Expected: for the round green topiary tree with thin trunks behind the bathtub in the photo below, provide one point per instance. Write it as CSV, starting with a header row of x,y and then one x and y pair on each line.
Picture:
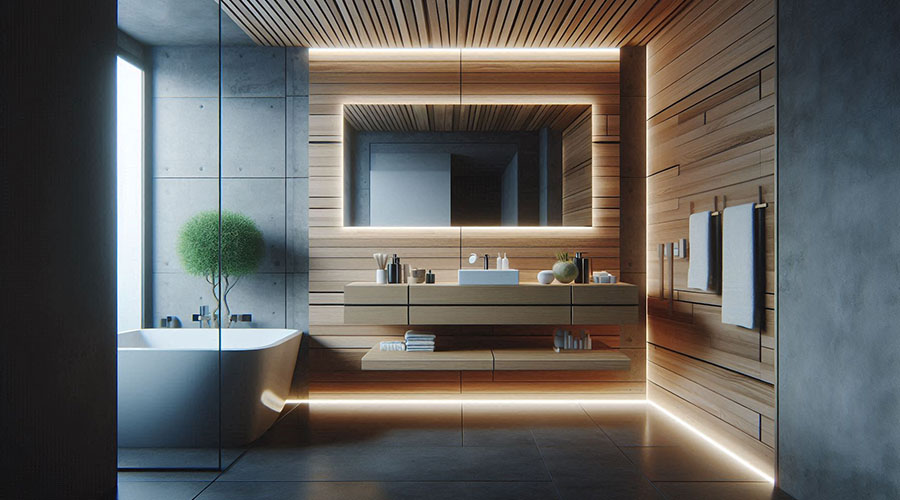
x,y
242,250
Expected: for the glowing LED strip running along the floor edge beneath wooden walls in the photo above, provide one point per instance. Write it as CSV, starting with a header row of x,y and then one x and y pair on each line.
x,y
547,402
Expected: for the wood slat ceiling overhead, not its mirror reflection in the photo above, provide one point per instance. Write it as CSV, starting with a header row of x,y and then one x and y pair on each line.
x,y
452,23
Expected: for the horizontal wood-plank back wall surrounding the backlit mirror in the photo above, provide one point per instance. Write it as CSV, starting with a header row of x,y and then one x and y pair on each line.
x,y
339,255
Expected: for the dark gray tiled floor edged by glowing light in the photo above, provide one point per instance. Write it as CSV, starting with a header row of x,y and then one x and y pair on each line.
x,y
466,450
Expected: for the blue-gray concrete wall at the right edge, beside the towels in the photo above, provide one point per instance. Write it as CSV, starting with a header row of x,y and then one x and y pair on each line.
x,y
839,249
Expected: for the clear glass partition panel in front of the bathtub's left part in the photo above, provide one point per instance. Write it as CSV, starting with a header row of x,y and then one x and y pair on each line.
x,y
169,235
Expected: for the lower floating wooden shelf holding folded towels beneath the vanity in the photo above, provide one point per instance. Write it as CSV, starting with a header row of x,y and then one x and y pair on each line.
x,y
495,359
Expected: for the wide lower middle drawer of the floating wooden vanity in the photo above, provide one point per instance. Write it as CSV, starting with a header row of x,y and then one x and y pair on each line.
x,y
489,315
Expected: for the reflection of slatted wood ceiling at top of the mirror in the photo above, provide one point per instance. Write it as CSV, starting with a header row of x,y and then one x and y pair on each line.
x,y
460,118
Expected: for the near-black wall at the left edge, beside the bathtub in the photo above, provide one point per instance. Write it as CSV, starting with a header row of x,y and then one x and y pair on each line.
x,y
57,257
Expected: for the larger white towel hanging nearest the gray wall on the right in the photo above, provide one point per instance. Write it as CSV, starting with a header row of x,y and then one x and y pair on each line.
x,y
739,265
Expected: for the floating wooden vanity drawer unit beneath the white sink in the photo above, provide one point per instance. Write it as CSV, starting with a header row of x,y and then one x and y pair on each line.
x,y
523,304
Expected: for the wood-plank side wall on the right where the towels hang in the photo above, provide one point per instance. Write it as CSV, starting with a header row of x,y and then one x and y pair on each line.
x,y
711,133
